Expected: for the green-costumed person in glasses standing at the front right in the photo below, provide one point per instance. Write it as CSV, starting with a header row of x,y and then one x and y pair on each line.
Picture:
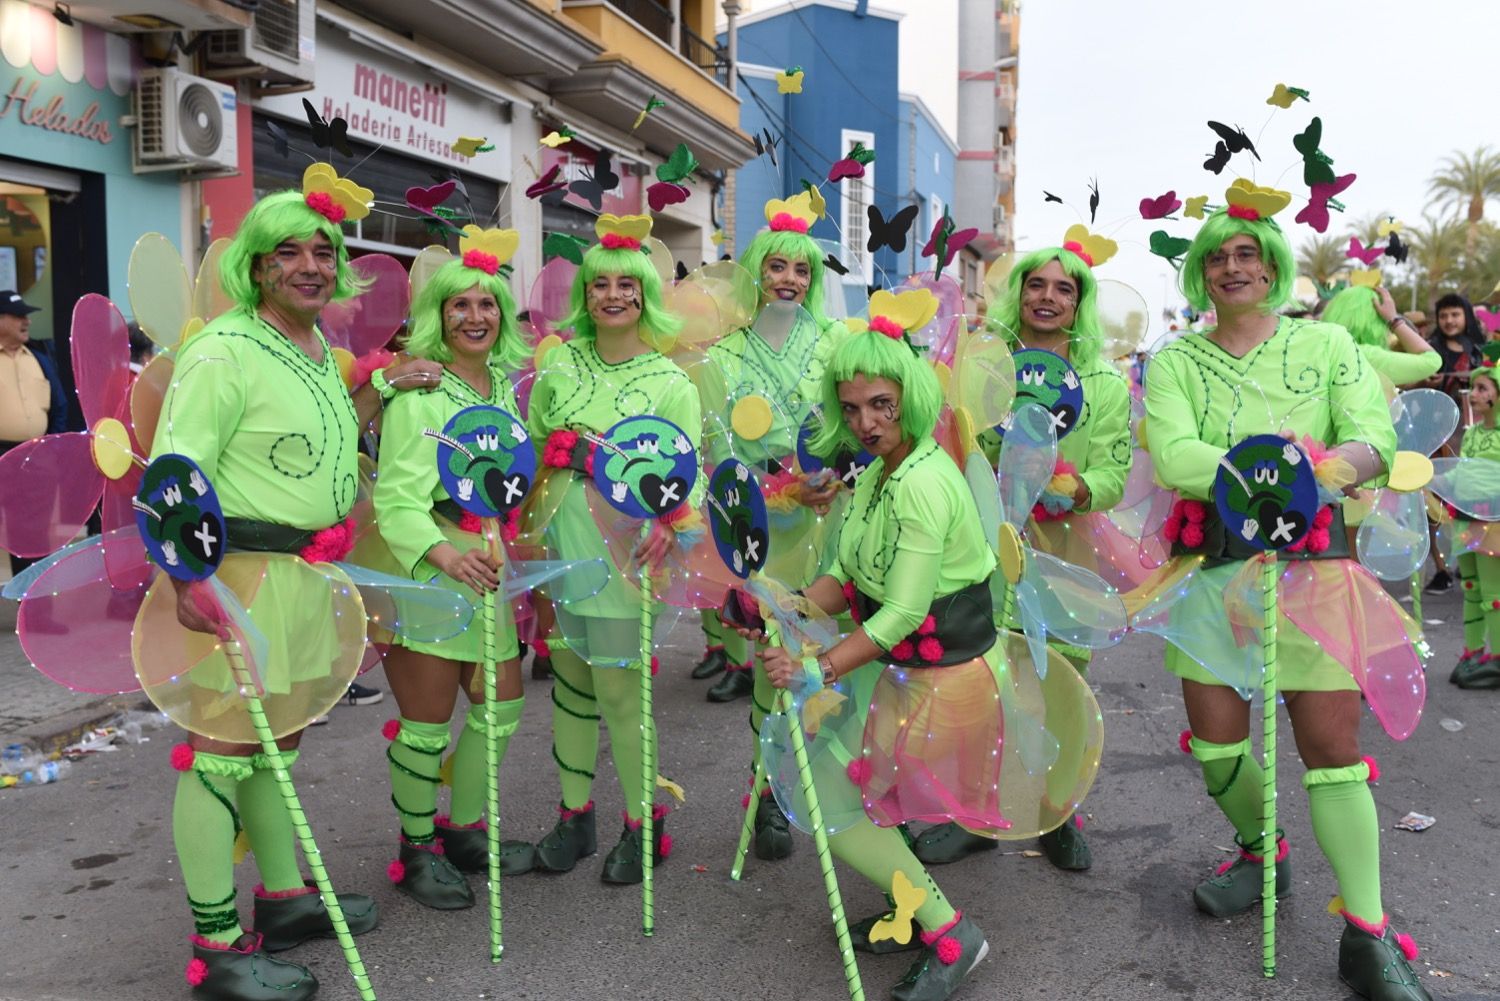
x,y
1265,374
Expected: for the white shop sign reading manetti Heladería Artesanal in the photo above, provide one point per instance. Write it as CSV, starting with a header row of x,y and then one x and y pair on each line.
x,y
400,106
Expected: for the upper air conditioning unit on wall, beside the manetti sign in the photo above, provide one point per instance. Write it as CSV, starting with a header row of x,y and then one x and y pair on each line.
x,y
278,49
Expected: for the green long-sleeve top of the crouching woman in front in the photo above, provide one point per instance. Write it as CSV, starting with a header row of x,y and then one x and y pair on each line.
x,y
911,540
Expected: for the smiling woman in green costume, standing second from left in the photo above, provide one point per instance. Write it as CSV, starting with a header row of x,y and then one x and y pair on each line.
x,y
466,320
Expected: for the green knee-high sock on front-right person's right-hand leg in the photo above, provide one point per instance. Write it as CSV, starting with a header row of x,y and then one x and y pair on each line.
x,y
1349,834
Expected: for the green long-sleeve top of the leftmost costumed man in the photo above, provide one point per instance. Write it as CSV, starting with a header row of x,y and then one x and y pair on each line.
x,y
275,431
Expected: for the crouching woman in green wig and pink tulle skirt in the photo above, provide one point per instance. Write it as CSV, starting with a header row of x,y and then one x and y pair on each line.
x,y
914,568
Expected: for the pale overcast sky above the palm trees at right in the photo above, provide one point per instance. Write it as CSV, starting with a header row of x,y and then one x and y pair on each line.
x,y
1123,92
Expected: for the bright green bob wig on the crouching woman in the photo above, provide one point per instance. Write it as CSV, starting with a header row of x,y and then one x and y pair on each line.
x,y
875,355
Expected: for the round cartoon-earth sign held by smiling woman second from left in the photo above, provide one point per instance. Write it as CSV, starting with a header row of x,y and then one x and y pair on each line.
x,y
485,461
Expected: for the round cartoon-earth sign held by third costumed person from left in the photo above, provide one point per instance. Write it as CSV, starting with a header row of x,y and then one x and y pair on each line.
x,y
646,467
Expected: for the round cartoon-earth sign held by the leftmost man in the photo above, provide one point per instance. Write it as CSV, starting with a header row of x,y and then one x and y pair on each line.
x,y
181,520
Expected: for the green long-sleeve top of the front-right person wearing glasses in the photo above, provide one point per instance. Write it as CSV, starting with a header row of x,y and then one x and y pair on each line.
x,y
1307,377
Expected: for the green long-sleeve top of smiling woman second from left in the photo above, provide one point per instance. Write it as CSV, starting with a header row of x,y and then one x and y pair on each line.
x,y
409,482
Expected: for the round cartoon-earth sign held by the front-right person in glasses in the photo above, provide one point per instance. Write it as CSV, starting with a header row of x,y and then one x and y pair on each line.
x,y
1265,491
